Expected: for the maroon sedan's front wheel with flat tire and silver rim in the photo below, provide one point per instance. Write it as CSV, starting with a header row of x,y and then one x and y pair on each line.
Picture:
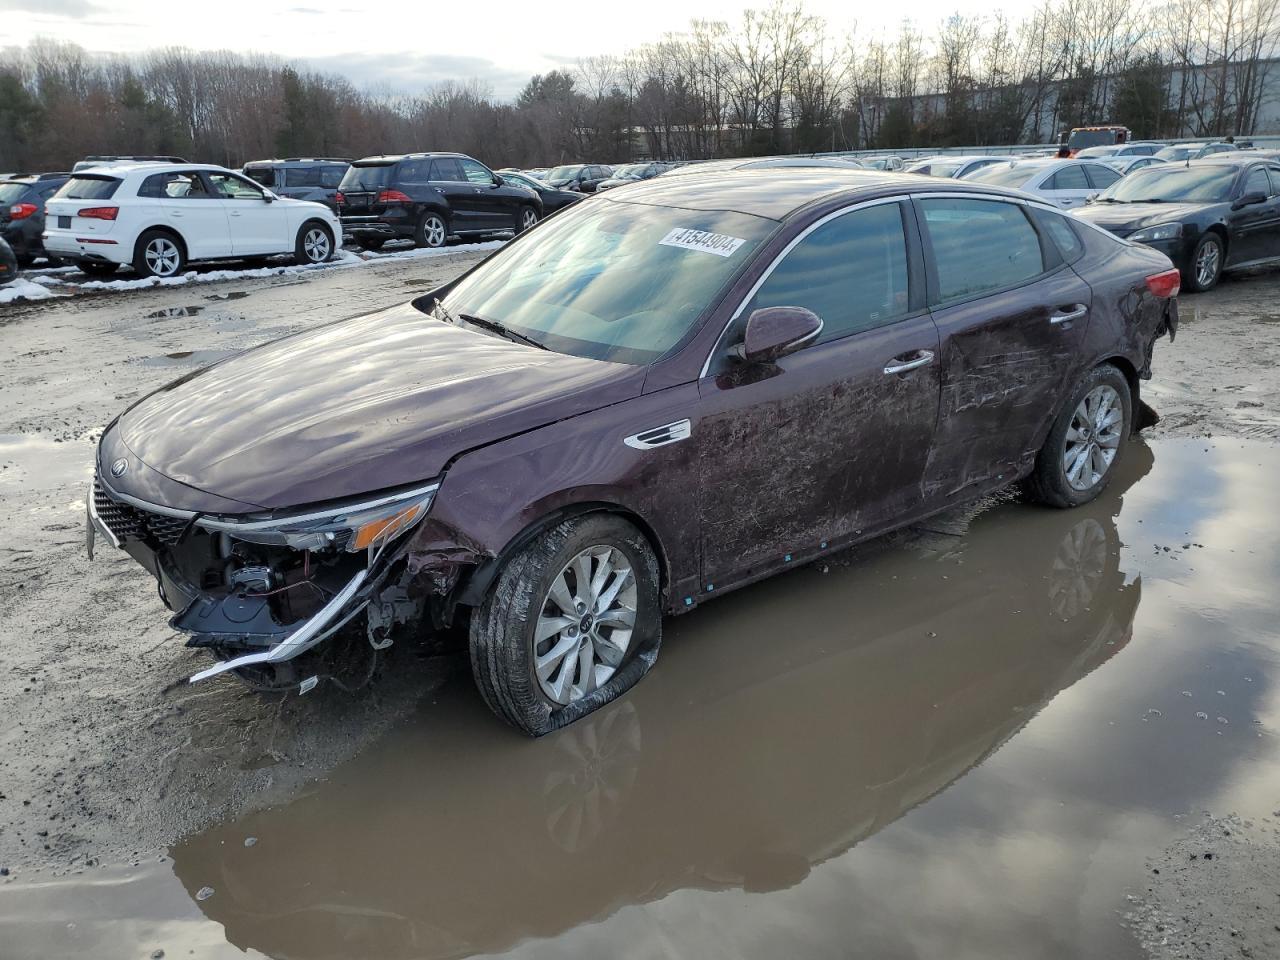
x,y
573,620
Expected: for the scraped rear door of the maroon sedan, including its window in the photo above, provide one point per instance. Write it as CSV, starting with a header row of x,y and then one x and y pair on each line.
x,y
1012,318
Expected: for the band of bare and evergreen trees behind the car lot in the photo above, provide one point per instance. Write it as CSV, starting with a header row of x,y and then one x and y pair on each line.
x,y
779,81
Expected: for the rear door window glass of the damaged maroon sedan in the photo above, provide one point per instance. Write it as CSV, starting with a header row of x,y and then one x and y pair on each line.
x,y
980,246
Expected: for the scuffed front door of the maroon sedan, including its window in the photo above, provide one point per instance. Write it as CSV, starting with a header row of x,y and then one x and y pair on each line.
x,y
831,442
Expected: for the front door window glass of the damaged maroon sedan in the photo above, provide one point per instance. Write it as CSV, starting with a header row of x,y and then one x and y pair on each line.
x,y
852,272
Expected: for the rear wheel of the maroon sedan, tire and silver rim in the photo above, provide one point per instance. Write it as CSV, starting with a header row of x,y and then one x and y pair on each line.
x,y
1086,444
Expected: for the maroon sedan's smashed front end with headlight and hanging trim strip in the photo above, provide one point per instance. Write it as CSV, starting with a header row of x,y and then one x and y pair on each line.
x,y
262,591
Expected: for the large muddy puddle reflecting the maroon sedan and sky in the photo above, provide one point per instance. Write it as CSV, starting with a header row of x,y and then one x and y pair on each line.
x,y
959,746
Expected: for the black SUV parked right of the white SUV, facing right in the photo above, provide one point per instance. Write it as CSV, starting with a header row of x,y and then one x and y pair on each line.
x,y
429,198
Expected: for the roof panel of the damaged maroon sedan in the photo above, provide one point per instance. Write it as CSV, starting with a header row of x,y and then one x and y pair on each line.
x,y
776,194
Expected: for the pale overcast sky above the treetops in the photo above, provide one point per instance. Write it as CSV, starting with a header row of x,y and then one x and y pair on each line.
x,y
405,47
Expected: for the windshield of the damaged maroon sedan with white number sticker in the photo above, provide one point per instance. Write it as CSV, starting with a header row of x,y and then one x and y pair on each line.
x,y
601,280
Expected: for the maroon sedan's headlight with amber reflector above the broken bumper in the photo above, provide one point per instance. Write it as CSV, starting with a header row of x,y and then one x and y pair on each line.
x,y
354,528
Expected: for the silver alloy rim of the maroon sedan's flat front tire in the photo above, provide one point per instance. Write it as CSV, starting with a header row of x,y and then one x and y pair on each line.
x,y
586,624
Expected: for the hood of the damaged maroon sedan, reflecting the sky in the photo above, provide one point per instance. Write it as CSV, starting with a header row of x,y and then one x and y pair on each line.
x,y
359,406
